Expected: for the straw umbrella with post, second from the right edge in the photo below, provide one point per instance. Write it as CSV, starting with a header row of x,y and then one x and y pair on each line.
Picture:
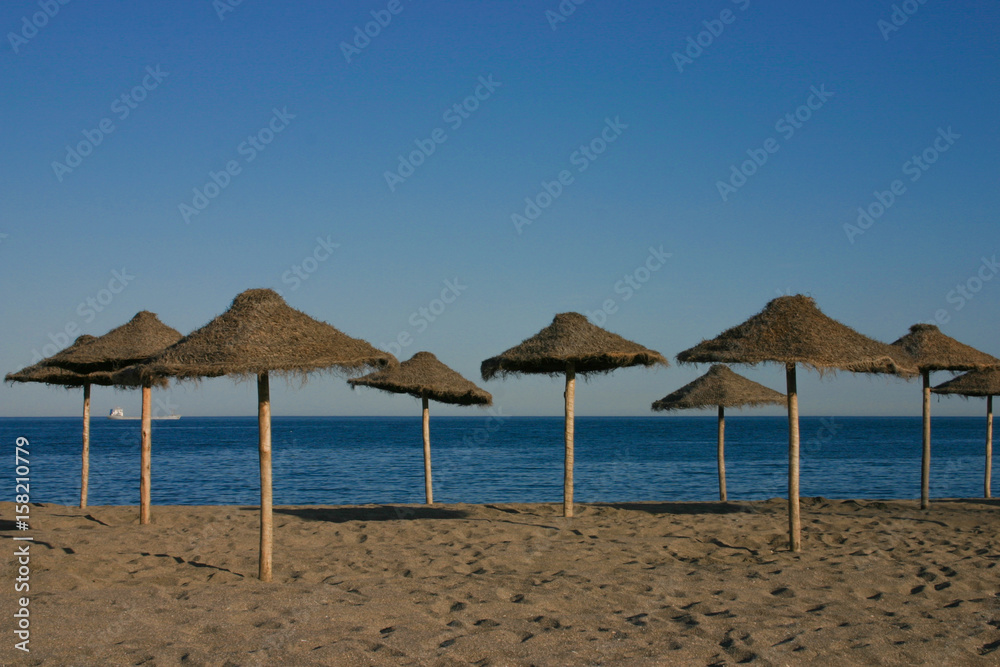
x,y
933,351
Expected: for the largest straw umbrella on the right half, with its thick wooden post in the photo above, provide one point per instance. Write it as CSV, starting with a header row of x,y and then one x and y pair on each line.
x,y
791,330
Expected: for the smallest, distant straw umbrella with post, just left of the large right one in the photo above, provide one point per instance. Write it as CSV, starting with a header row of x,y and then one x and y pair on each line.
x,y
723,388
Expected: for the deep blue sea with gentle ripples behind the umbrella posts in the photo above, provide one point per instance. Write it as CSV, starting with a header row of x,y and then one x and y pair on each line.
x,y
354,460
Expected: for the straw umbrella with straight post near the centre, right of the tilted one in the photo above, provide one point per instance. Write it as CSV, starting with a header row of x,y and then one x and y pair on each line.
x,y
570,345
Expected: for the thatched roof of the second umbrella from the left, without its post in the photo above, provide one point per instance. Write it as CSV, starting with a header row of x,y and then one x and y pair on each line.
x,y
135,341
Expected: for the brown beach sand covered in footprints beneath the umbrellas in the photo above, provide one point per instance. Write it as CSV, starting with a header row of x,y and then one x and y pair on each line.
x,y
619,584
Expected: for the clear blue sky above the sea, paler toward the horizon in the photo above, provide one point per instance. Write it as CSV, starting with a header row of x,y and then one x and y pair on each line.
x,y
163,95
